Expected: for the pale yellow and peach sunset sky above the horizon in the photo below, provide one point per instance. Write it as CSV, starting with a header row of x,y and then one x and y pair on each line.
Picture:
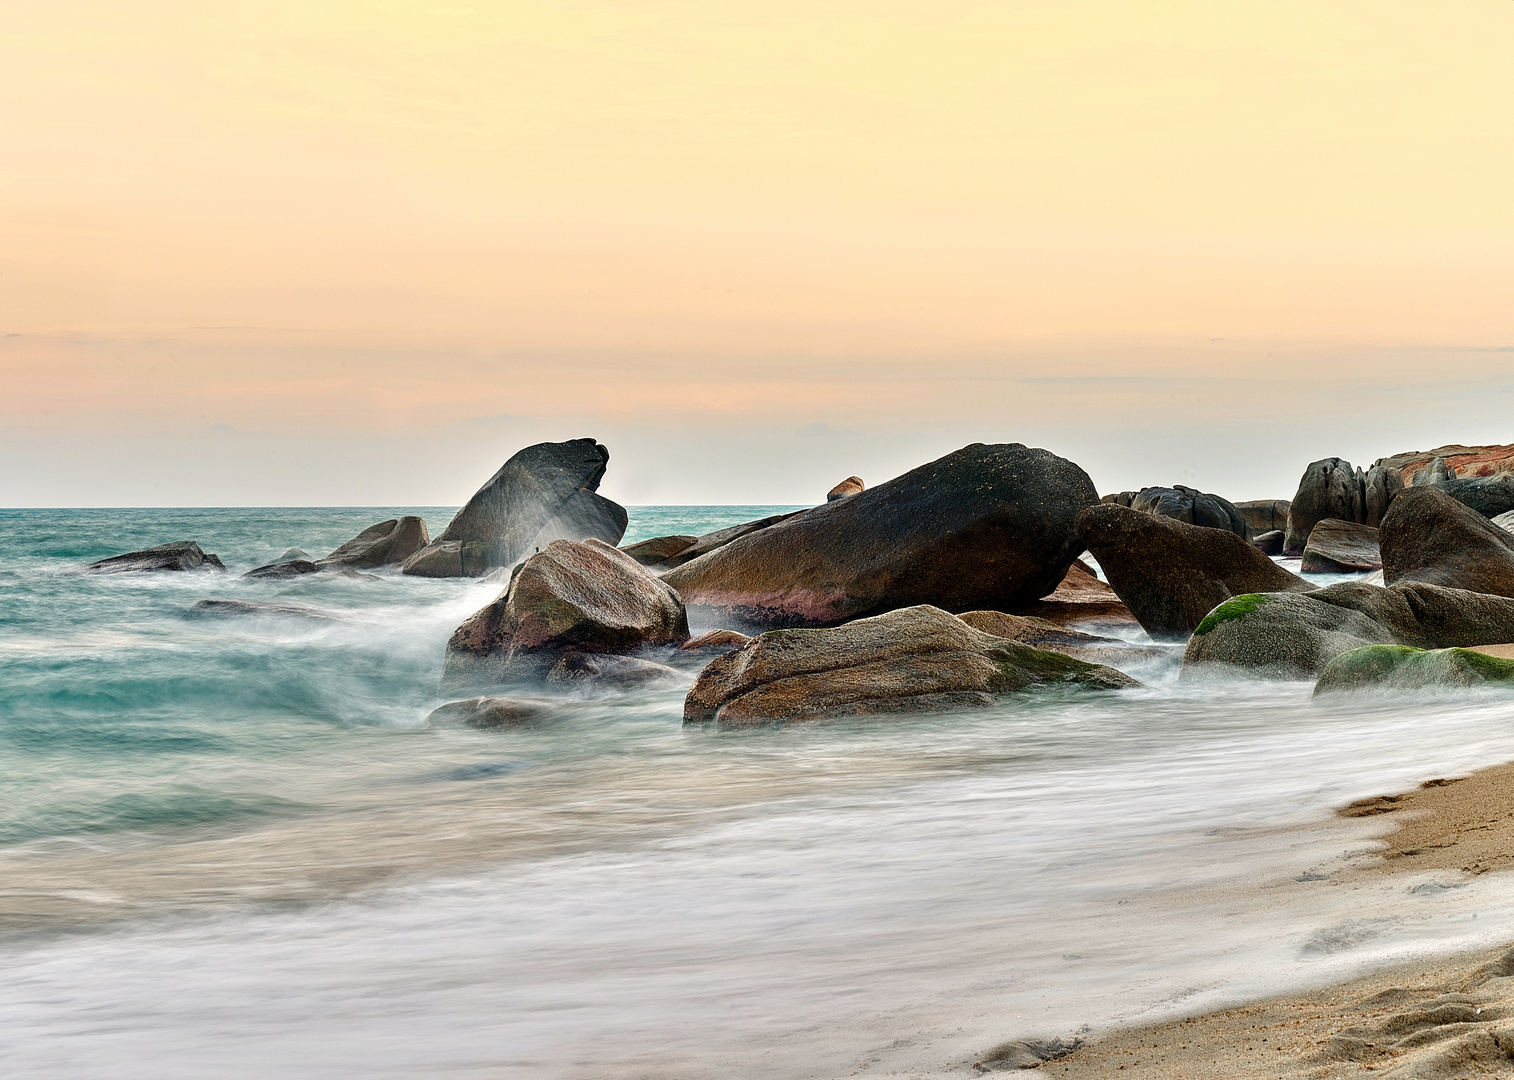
x,y
360,254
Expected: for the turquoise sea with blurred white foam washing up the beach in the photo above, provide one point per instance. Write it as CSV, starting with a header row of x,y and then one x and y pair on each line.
x,y
234,847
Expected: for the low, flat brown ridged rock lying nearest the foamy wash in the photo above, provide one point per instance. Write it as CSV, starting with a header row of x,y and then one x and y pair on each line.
x,y
915,660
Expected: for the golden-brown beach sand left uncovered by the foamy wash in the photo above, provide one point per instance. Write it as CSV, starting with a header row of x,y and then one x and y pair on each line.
x,y
1433,1022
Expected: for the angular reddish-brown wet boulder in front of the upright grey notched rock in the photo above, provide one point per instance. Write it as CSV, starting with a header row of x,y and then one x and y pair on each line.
x,y
567,599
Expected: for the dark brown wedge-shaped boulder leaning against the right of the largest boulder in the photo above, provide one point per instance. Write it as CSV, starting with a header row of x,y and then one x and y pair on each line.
x,y
1171,575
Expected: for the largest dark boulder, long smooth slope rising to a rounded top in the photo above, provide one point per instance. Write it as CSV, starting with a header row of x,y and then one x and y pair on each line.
x,y
988,526
